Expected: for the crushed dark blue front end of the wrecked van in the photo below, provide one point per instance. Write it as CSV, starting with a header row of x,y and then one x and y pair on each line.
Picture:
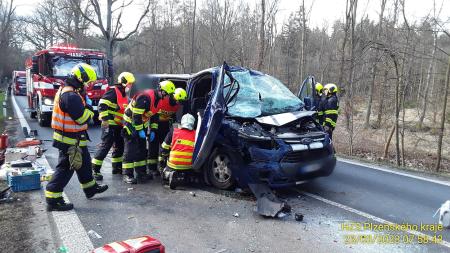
x,y
279,155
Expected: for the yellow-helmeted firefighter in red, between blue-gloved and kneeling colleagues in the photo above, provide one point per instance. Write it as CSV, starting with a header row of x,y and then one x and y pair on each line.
x,y
167,109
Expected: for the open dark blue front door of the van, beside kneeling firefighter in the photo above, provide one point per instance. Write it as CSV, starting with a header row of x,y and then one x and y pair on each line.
x,y
211,121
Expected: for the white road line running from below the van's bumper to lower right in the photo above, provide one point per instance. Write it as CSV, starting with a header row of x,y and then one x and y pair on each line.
x,y
371,217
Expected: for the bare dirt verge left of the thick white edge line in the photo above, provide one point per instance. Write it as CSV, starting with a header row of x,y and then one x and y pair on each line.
x,y
24,224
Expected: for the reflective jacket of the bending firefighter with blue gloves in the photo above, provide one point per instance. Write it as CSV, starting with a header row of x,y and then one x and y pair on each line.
x,y
139,111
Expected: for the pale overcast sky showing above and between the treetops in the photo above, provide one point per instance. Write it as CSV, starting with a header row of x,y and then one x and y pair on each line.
x,y
323,12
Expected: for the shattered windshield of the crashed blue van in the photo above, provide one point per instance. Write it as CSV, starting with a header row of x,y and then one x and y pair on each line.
x,y
260,95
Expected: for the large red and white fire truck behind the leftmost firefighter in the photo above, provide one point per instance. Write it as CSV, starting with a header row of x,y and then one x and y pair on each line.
x,y
47,69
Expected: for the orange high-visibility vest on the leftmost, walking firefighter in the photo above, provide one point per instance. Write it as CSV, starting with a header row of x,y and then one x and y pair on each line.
x,y
62,121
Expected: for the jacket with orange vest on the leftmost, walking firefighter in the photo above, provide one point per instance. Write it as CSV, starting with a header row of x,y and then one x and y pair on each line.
x,y
70,117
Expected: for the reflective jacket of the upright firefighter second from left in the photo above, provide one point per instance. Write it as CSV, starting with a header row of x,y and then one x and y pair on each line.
x,y
112,106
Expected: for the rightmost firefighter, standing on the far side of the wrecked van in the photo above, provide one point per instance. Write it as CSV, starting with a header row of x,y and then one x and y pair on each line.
x,y
330,108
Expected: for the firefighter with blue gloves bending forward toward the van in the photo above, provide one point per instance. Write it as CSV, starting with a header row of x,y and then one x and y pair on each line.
x,y
137,120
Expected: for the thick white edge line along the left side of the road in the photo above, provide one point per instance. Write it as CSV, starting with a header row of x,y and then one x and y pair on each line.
x,y
73,234
